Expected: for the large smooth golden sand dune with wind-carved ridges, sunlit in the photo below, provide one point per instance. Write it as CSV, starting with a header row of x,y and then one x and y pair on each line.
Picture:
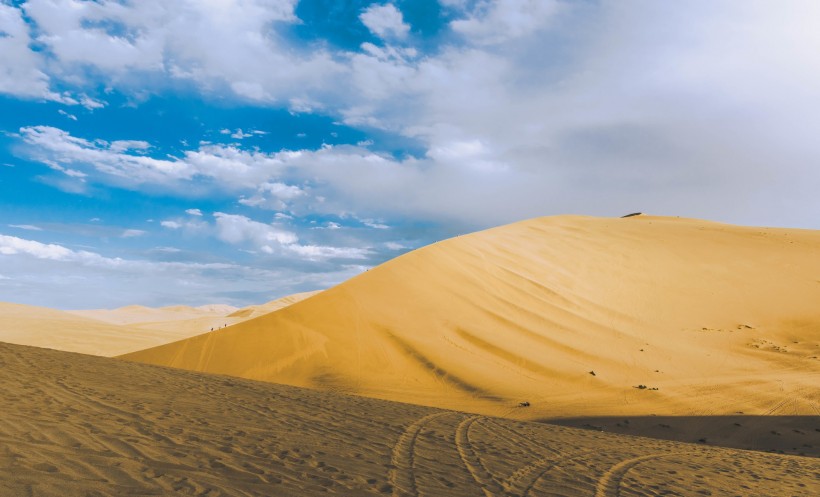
x,y
581,317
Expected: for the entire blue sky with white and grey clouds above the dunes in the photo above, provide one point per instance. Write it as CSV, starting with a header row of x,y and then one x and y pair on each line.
x,y
236,151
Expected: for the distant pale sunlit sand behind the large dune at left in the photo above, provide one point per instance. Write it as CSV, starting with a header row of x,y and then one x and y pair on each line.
x,y
111,332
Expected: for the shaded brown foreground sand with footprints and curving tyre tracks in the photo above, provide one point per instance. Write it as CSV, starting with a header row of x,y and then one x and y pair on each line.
x,y
76,425
